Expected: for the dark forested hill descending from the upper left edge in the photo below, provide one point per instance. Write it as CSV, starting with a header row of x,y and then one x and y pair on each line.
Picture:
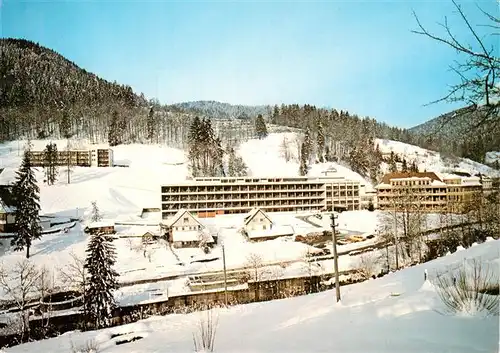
x,y
43,94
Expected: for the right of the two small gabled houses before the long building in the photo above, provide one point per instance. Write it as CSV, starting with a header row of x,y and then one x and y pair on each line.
x,y
258,226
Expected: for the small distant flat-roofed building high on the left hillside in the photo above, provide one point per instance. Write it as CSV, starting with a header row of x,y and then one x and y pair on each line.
x,y
97,157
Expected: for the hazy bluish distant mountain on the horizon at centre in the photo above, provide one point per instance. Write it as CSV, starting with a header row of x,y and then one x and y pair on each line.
x,y
223,110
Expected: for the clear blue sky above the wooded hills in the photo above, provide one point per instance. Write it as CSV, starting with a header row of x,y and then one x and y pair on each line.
x,y
354,55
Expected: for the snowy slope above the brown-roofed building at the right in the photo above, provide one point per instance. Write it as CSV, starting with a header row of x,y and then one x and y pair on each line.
x,y
433,161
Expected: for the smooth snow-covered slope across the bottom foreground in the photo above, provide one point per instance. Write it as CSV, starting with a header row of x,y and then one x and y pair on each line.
x,y
396,313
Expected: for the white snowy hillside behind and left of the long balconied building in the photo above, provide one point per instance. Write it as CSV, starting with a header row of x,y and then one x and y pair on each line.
x,y
120,191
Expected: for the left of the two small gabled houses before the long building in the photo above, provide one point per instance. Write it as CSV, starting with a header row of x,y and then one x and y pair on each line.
x,y
183,230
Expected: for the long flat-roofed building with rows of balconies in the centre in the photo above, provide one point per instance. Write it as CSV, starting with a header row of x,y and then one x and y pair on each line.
x,y
208,197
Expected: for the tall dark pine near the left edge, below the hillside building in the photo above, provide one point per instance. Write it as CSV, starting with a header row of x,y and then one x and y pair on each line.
x,y
27,216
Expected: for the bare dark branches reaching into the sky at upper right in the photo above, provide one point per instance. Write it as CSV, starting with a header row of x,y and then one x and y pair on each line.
x,y
479,69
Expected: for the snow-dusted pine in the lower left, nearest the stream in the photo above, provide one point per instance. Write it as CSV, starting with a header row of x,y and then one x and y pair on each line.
x,y
101,256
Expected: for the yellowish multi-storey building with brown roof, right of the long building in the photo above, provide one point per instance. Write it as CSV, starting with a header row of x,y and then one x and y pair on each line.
x,y
427,192
